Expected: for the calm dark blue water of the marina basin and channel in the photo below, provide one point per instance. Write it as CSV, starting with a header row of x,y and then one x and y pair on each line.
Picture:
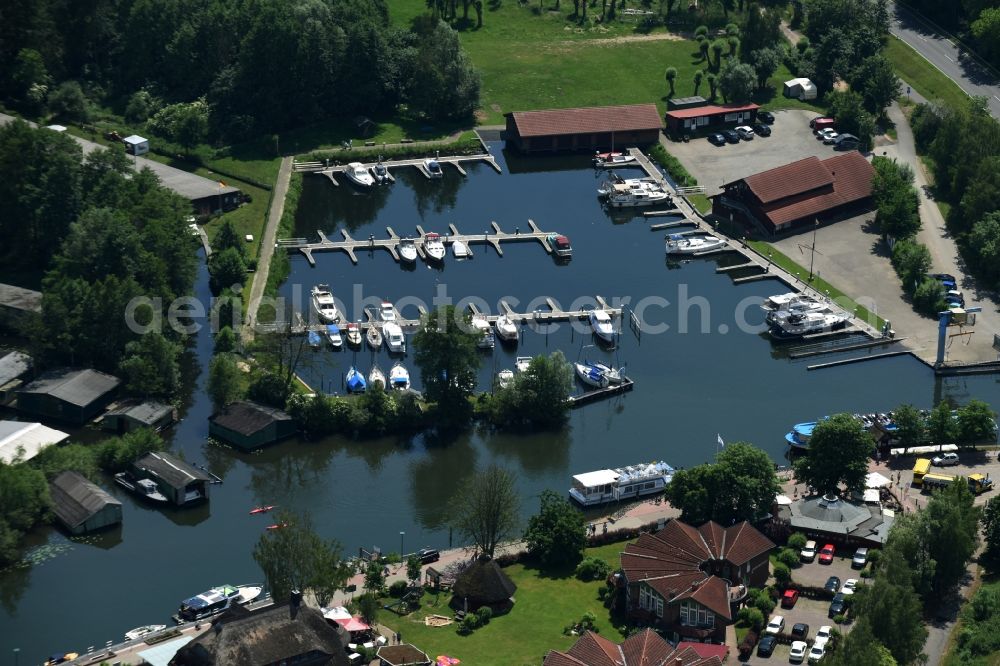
x,y
690,386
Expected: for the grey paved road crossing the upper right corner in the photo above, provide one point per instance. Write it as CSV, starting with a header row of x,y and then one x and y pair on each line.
x,y
947,55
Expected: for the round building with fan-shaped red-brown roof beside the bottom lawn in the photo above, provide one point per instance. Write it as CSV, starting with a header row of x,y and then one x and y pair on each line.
x,y
689,581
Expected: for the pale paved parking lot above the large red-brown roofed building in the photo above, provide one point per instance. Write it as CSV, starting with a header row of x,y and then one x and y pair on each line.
x,y
790,140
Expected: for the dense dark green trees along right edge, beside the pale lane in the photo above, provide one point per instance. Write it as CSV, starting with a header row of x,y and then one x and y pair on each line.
x,y
964,146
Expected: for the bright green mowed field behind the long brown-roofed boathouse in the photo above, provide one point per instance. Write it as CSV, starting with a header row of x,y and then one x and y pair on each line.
x,y
539,60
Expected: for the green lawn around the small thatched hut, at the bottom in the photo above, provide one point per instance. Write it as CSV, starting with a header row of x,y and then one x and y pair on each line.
x,y
545,605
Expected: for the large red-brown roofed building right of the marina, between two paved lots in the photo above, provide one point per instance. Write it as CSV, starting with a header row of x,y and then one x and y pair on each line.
x,y
798,193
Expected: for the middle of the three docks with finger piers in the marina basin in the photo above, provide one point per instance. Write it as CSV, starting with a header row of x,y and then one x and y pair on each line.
x,y
352,245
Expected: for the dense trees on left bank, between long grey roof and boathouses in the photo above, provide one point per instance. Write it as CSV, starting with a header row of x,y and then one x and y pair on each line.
x,y
104,235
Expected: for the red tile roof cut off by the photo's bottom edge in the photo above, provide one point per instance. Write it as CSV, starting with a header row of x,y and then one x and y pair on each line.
x,y
645,648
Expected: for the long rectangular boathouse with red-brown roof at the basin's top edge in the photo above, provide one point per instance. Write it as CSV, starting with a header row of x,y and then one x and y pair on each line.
x,y
591,128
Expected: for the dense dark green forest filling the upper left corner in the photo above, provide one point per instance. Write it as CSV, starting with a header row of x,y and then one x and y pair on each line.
x,y
233,69
